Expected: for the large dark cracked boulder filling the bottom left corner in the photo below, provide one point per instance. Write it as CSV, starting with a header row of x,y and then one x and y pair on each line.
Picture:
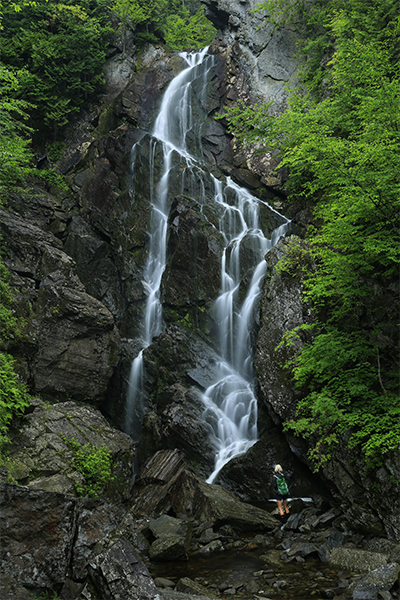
x,y
47,535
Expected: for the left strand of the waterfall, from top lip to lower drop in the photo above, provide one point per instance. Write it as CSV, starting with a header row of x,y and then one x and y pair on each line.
x,y
173,124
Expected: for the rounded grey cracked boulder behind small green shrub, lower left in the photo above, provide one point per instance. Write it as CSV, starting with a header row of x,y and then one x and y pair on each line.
x,y
41,455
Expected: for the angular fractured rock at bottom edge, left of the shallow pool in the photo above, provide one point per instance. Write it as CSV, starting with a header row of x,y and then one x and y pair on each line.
x,y
120,573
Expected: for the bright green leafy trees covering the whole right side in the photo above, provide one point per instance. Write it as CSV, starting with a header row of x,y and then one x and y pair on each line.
x,y
340,139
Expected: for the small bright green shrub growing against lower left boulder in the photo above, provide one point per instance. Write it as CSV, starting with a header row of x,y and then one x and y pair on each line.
x,y
95,466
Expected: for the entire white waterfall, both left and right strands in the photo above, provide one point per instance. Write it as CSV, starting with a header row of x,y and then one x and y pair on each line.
x,y
230,403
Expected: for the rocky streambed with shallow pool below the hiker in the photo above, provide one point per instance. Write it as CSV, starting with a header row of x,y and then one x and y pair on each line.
x,y
306,558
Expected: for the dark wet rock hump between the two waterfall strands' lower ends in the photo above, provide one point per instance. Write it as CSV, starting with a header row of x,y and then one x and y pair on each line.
x,y
179,366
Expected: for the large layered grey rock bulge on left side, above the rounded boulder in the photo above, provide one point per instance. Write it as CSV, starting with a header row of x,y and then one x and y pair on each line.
x,y
73,344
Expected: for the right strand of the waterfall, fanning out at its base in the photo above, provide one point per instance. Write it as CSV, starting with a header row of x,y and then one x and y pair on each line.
x,y
231,405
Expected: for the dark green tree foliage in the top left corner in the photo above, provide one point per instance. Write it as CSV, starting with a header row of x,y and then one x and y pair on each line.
x,y
62,49
